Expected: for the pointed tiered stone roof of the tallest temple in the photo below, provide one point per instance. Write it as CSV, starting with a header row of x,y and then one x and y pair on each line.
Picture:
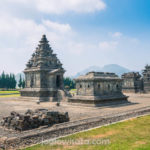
x,y
43,57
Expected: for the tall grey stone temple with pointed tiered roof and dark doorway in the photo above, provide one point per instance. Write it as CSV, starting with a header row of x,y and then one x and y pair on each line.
x,y
43,74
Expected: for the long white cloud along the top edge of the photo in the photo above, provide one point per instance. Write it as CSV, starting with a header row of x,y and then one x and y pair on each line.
x,y
63,6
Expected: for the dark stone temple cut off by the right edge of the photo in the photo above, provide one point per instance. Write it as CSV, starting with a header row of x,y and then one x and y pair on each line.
x,y
146,78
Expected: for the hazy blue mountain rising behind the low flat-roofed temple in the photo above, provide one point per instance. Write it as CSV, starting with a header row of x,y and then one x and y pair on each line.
x,y
119,70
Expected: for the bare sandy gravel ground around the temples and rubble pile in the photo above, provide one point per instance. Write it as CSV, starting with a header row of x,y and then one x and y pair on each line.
x,y
75,112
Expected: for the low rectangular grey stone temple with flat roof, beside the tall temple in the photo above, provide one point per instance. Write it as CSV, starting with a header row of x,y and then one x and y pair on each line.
x,y
98,87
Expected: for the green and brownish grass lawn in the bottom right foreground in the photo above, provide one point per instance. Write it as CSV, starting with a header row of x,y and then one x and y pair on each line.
x,y
133,134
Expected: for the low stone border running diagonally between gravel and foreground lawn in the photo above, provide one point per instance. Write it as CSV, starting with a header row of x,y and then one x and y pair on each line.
x,y
68,128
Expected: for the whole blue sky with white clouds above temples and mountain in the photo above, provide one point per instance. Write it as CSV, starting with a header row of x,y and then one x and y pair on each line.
x,y
83,33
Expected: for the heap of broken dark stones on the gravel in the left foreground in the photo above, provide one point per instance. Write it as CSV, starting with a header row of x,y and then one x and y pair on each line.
x,y
34,119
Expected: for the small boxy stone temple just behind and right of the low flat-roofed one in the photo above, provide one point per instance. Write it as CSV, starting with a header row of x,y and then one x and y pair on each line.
x,y
132,82
